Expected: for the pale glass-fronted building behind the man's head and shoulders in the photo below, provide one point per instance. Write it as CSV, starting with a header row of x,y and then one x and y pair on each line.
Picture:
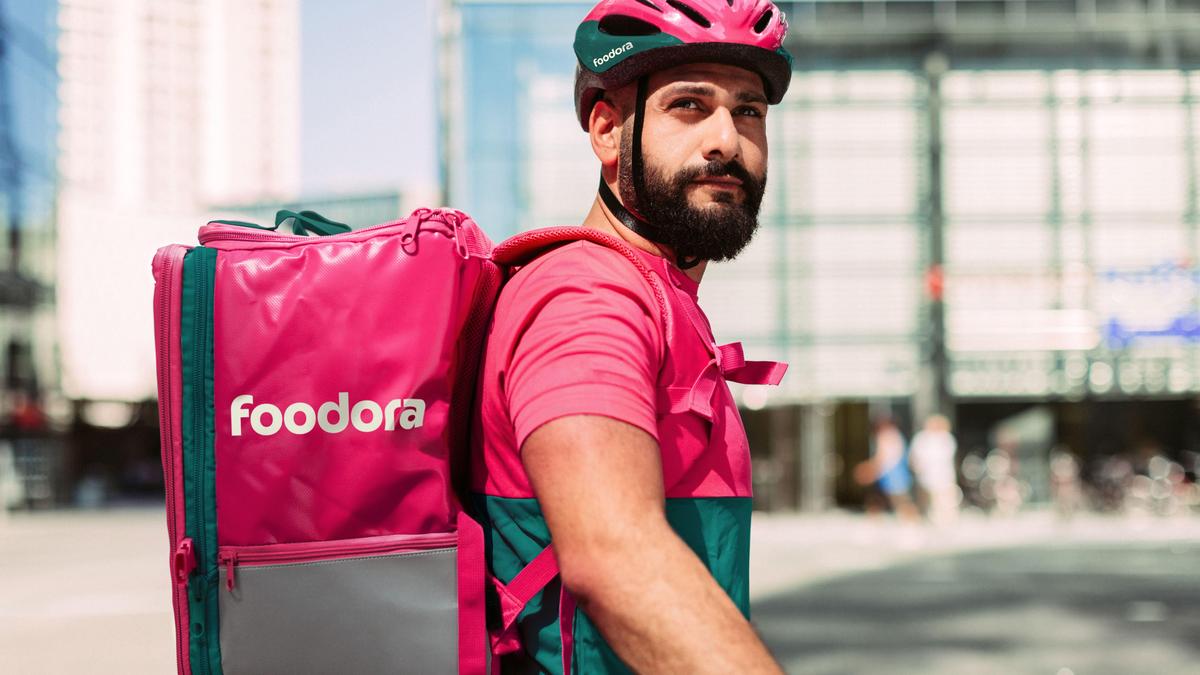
x,y
971,204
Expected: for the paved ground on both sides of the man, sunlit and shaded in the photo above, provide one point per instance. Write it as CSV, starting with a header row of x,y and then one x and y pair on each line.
x,y
88,592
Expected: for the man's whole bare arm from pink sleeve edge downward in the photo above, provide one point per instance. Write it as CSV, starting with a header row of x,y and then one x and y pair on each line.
x,y
599,483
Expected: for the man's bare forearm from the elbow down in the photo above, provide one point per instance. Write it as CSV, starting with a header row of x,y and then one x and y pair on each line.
x,y
662,611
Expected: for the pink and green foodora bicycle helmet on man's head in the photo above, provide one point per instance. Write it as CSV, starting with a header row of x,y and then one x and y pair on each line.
x,y
621,41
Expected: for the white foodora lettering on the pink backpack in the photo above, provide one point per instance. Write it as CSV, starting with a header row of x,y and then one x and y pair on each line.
x,y
267,420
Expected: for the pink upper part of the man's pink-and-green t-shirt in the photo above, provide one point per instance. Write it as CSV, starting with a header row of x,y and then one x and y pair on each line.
x,y
580,332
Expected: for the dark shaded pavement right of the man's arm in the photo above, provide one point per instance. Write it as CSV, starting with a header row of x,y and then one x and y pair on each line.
x,y
1087,610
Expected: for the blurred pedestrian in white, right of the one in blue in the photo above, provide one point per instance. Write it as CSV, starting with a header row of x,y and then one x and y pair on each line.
x,y
933,463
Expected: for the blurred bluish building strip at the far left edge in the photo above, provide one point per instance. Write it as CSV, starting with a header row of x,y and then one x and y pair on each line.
x,y
28,184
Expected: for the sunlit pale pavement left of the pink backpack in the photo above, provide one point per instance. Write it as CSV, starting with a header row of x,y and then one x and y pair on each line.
x,y
86,593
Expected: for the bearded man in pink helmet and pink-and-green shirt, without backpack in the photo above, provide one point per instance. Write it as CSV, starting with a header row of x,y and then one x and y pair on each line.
x,y
607,425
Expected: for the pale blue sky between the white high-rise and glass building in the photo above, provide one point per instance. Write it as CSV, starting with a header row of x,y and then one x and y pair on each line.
x,y
369,109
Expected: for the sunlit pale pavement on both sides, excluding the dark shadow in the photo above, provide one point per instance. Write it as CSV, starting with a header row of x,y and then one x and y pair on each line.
x,y
89,592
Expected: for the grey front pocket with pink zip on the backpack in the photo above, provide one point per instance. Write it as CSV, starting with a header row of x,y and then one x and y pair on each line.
x,y
377,605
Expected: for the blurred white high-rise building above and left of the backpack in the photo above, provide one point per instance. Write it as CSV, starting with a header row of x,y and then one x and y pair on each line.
x,y
166,109
